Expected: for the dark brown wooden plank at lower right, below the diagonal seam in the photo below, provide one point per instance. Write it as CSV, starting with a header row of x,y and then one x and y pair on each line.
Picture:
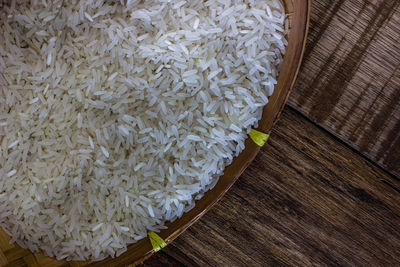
x,y
306,199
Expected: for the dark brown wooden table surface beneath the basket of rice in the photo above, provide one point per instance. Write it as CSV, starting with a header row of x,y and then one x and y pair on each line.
x,y
325,190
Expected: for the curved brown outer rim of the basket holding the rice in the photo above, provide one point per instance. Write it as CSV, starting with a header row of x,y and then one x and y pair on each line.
x,y
266,124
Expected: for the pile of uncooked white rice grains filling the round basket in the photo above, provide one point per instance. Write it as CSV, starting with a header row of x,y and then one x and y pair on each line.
x,y
115,116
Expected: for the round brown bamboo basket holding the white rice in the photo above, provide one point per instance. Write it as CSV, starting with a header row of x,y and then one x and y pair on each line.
x,y
298,14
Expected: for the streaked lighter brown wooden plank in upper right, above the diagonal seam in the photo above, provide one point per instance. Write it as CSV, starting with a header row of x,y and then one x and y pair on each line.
x,y
350,79
